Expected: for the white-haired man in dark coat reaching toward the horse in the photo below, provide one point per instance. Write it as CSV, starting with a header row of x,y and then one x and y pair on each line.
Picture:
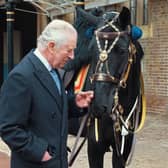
x,y
34,105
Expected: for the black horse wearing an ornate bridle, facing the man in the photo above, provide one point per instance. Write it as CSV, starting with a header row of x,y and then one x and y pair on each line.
x,y
114,58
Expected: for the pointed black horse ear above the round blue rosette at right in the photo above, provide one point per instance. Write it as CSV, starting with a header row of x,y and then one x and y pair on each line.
x,y
125,18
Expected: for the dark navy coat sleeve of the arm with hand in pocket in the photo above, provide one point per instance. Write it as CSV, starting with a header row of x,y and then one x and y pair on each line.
x,y
15,107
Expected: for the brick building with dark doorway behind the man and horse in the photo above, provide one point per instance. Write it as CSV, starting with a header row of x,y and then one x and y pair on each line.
x,y
150,15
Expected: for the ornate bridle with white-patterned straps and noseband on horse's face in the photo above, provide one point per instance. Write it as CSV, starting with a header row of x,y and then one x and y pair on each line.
x,y
98,75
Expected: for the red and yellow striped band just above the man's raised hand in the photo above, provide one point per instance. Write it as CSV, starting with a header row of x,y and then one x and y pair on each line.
x,y
79,83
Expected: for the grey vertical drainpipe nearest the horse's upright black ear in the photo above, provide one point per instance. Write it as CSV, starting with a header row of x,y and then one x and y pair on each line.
x,y
133,8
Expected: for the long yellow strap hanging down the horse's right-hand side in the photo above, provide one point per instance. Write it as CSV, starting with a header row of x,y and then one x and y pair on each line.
x,y
143,105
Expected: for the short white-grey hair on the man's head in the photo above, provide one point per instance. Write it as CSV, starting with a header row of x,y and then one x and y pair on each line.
x,y
57,31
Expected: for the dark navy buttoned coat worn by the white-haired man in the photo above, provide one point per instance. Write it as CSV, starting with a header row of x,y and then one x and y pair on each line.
x,y
33,116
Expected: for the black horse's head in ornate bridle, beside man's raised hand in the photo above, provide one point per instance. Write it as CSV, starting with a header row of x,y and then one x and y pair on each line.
x,y
111,58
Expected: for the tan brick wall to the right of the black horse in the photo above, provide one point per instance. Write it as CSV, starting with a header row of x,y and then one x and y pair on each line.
x,y
155,64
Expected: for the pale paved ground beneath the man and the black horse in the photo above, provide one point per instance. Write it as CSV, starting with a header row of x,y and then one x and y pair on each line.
x,y
151,150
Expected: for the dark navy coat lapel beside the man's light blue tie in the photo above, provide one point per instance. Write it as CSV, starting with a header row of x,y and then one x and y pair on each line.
x,y
42,74
